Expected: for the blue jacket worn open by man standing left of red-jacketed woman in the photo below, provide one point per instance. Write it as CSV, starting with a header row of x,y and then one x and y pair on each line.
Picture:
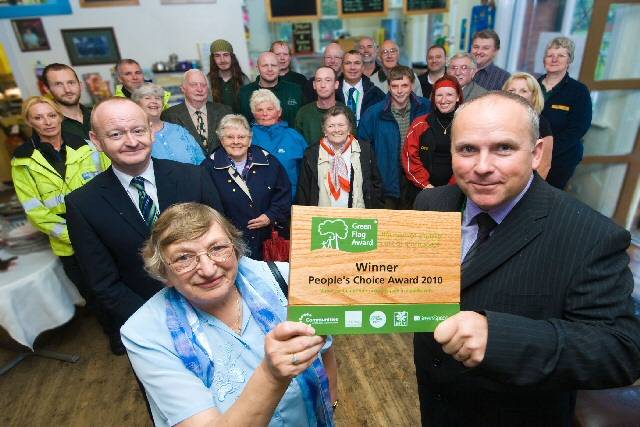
x,y
379,128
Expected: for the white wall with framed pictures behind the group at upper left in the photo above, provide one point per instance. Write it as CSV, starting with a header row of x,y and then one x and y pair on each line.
x,y
147,33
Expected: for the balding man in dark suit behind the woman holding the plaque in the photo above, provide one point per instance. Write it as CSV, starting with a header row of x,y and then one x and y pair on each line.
x,y
110,219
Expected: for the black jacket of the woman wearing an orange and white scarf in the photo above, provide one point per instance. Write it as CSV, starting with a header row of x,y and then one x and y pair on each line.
x,y
308,187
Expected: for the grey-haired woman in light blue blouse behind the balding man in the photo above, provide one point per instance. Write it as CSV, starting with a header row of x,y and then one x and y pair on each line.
x,y
171,141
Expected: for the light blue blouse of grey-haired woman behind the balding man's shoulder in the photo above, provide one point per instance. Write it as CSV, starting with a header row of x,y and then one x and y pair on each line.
x,y
174,142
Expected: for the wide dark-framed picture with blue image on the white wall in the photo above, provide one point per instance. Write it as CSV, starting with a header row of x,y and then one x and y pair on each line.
x,y
89,46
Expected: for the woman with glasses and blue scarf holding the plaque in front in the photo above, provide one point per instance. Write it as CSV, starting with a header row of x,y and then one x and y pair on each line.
x,y
214,346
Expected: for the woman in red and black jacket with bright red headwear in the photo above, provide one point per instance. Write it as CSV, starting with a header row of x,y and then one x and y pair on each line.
x,y
426,154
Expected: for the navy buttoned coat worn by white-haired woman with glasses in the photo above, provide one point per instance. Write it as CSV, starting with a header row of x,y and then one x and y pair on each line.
x,y
270,194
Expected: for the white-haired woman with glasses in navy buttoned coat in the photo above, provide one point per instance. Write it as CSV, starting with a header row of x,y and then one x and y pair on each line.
x,y
253,185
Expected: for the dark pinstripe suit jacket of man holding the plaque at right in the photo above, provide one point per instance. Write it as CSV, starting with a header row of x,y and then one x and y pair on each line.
x,y
554,283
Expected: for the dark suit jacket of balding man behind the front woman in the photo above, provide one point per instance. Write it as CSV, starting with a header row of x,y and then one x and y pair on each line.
x,y
108,232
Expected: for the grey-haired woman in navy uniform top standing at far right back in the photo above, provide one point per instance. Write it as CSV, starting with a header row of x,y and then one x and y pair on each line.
x,y
567,107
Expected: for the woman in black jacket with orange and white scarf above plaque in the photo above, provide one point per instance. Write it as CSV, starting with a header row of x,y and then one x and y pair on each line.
x,y
339,171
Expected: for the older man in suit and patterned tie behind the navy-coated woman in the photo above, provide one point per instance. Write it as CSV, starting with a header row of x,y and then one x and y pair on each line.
x,y
199,116
